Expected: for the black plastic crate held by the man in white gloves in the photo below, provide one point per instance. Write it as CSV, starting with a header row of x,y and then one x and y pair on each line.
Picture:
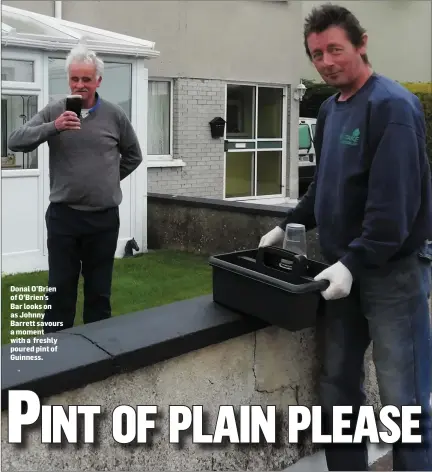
x,y
269,283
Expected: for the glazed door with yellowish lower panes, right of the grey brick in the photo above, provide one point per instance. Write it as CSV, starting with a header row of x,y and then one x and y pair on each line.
x,y
255,147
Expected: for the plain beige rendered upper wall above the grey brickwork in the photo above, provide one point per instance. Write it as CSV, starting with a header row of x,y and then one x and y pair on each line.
x,y
239,40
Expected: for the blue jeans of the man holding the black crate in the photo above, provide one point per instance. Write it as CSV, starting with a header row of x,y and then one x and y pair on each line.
x,y
389,307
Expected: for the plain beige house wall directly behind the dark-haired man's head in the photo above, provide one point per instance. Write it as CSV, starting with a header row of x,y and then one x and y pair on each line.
x,y
400,40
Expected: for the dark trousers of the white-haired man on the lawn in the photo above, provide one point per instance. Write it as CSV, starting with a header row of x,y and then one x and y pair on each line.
x,y
79,242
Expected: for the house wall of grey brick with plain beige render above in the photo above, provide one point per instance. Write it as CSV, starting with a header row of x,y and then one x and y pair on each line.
x,y
203,45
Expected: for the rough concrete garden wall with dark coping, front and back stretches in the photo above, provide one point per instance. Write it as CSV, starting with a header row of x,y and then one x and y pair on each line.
x,y
186,353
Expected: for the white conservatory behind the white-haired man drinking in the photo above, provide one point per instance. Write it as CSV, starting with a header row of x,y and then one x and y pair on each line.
x,y
34,48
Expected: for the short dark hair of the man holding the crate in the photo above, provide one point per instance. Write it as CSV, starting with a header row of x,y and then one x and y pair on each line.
x,y
326,16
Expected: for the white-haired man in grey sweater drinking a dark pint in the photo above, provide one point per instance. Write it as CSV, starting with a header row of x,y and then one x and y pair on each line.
x,y
88,157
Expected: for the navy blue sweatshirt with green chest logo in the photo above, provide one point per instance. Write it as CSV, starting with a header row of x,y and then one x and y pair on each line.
x,y
371,197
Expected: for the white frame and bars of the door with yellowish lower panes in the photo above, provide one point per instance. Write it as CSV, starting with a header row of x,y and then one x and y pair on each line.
x,y
257,85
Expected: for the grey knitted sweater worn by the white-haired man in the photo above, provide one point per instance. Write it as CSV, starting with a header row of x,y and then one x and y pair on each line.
x,y
86,165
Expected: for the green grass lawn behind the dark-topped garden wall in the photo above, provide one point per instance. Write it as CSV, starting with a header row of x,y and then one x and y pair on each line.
x,y
152,279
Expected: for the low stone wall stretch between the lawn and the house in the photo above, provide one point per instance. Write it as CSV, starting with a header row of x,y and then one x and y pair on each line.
x,y
210,226
